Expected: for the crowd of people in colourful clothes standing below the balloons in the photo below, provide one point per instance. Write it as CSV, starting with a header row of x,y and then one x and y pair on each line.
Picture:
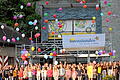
x,y
90,71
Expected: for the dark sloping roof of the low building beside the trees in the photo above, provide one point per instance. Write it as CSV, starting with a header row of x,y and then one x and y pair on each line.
x,y
10,33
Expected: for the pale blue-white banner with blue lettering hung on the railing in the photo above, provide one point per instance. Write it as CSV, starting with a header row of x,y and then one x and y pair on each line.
x,y
83,42
